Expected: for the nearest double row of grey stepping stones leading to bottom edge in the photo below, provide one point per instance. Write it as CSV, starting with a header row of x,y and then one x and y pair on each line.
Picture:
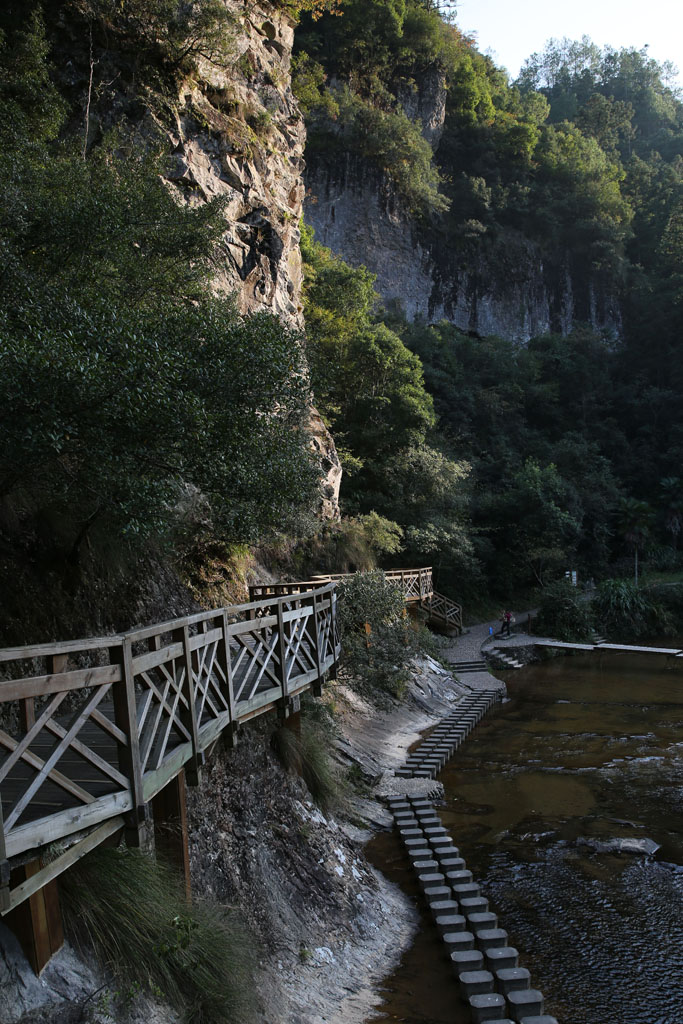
x,y
488,971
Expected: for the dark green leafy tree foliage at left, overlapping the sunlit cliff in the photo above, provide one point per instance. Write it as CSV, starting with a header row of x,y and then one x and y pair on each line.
x,y
123,381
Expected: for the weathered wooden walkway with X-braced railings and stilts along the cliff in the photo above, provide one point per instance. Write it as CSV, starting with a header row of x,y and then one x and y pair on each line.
x,y
98,737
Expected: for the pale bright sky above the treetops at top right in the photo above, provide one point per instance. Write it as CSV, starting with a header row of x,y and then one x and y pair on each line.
x,y
510,32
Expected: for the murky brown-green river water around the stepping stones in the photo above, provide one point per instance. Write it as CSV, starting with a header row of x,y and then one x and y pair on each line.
x,y
588,750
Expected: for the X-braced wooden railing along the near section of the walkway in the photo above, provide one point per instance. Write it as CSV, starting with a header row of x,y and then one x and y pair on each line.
x,y
93,730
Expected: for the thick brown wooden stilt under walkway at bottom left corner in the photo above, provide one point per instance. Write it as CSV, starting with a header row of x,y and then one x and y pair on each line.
x,y
37,922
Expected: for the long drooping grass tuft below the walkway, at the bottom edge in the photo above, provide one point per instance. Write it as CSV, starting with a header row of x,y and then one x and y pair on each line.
x,y
134,913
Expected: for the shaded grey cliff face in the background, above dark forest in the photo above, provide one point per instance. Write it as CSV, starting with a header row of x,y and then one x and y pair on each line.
x,y
484,286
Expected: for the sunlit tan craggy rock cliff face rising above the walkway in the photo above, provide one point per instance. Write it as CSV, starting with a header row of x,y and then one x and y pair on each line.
x,y
240,136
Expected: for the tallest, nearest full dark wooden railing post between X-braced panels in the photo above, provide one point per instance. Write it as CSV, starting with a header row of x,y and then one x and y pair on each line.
x,y
140,829
